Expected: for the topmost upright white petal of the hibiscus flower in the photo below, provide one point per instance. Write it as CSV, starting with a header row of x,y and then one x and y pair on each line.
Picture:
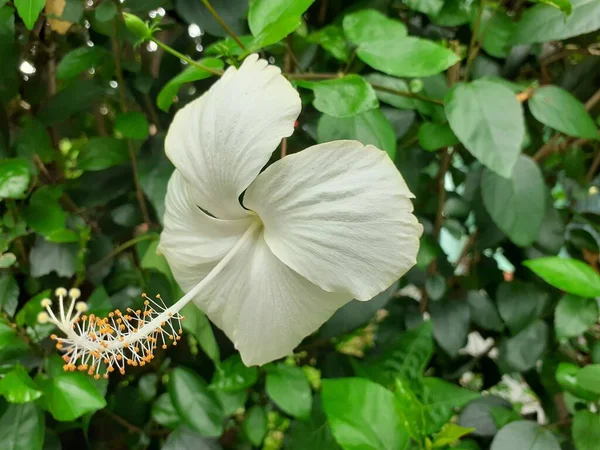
x,y
222,140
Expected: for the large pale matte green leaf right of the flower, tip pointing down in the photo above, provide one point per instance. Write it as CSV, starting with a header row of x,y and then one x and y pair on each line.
x,y
488,120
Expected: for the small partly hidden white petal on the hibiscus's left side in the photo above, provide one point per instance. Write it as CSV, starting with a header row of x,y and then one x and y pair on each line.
x,y
192,241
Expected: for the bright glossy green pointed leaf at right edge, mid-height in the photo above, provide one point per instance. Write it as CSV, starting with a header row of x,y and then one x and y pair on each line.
x,y
569,275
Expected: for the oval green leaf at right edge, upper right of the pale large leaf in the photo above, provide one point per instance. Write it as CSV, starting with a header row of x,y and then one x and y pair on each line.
x,y
558,109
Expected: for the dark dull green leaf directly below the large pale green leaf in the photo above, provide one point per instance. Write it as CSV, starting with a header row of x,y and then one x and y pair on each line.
x,y
516,204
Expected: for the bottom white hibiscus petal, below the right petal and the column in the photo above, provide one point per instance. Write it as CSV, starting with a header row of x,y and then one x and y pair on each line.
x,y
264,307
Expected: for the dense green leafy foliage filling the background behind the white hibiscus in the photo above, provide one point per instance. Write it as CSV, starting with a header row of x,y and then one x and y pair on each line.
x,y
489,110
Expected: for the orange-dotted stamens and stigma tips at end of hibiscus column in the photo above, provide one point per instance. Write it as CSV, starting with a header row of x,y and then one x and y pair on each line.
x,y
94,344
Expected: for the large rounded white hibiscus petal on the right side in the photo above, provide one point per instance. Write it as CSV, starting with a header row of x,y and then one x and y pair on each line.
x,y
339,214
